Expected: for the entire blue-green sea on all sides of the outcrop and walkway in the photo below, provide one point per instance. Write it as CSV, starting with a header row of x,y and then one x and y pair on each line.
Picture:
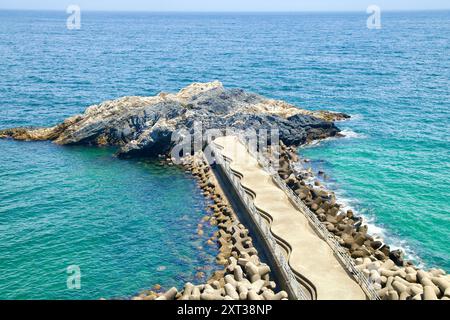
x,y
61,206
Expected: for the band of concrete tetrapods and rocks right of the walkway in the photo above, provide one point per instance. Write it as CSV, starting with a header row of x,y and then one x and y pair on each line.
x,y
392,276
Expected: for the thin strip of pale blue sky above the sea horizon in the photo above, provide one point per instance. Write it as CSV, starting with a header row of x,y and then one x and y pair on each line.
x,y
228,5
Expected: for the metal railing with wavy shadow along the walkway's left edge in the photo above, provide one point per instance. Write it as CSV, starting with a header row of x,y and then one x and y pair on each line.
x,y
292,282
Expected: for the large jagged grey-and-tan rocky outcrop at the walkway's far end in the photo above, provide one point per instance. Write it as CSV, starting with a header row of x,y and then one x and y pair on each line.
x,y
144,125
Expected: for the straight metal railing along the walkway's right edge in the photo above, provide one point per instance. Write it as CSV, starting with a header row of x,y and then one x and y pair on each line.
x,y
317,225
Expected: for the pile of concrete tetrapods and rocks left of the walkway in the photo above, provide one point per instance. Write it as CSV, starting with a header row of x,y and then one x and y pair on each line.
x,y
244,276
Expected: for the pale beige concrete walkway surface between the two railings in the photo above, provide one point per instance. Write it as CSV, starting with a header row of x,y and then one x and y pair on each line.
x,y
311,256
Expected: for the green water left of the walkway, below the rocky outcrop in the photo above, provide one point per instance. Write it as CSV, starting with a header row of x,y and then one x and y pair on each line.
x,y
128,225
